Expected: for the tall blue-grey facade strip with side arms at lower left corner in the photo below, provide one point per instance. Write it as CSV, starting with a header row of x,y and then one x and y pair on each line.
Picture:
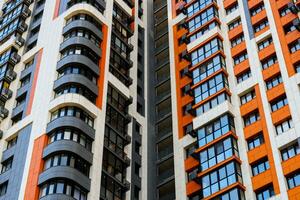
x,y
15,174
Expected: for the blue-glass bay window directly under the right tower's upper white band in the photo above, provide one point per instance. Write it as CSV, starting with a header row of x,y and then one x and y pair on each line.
x,y
206,50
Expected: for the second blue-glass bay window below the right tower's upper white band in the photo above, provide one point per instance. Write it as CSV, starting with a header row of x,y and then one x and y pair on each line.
x,y
208,68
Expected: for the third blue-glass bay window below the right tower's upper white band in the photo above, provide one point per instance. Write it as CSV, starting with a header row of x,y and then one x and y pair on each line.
x,y
210,87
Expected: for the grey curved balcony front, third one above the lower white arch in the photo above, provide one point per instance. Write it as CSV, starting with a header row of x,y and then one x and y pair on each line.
x,y
82,41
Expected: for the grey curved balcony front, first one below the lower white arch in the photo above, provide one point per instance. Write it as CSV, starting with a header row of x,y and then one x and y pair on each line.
x,y
69,121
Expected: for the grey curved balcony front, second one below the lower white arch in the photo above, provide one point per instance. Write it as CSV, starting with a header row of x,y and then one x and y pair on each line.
x,y
69,146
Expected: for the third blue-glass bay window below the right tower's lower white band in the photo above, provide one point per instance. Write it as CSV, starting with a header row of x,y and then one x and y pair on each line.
x,y
221,178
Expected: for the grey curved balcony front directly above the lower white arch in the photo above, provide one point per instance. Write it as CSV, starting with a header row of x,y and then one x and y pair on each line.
x,y
77,79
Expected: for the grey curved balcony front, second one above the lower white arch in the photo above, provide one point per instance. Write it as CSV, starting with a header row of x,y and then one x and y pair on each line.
x,y
78,59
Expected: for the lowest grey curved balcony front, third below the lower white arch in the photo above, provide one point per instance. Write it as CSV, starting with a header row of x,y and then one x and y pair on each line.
x,y
65,172
